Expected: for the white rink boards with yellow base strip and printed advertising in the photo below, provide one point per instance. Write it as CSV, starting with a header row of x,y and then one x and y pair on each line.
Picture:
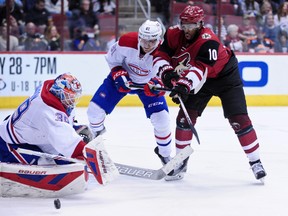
x,y
264,76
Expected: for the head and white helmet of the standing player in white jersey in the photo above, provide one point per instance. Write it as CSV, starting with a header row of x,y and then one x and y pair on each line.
x,y
149,33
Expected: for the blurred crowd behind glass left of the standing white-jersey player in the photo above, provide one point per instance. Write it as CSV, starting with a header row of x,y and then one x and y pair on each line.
x,y
35,25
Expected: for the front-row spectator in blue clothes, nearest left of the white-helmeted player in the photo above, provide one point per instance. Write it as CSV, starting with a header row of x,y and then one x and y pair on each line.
x,y
84,41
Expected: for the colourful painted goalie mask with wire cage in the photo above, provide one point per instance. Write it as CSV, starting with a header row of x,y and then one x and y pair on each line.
x,y
68,90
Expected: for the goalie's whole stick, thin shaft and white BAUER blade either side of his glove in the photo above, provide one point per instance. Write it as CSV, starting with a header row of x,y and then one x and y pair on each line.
x,y
126,169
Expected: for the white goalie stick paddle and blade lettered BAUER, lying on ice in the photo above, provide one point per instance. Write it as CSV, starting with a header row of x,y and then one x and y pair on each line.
x,y
155,174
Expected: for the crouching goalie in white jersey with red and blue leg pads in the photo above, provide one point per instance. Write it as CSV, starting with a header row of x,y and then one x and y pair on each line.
x,y
44,123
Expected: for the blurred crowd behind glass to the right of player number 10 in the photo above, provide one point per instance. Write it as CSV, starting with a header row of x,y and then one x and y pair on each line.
x,y
260,26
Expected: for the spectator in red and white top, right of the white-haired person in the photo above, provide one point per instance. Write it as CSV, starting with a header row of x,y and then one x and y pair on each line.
x,y
247,30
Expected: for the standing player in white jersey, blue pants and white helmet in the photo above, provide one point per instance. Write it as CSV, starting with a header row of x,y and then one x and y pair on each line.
x,y
130,61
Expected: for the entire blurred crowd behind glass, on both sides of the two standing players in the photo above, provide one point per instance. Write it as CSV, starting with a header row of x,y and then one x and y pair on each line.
x,y
35,25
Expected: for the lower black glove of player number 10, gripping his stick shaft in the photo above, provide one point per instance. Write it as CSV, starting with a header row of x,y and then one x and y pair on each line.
x,y
182,89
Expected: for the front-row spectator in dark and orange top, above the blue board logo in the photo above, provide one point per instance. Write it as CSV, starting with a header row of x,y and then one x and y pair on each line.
x,y
260,44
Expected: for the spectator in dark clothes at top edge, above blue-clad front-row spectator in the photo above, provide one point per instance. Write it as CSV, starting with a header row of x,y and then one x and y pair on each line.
x,y
84,18
